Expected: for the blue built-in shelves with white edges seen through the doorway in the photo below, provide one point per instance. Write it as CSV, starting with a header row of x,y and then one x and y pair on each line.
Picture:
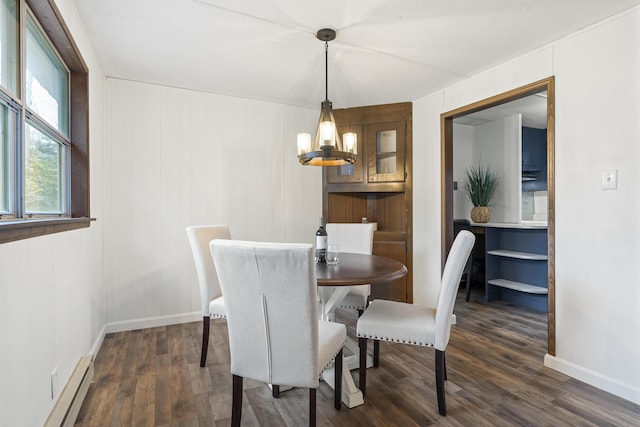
x,y
516,265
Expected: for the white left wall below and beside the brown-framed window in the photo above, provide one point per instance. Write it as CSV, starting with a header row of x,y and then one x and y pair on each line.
x,y
52,289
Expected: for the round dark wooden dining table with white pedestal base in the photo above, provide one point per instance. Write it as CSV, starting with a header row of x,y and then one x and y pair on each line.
x,y
334,282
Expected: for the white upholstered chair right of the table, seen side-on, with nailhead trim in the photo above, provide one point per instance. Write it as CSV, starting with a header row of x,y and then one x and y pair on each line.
x,y
415,324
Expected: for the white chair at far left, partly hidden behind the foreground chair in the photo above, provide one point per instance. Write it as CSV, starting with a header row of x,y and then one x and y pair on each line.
x,y
210,294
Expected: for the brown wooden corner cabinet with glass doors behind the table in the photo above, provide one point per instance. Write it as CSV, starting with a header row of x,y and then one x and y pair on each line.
x,y
377,186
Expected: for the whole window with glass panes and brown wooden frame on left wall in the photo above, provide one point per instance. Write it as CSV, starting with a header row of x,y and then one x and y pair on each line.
x,y
44,175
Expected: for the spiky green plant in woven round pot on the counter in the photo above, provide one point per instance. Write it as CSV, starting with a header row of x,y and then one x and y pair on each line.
x,y
480,183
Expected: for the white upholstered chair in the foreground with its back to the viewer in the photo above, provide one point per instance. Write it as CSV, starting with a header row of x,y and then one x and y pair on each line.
x,y
275,336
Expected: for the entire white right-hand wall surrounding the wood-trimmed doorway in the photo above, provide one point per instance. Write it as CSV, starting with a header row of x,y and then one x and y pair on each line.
x,y
597,247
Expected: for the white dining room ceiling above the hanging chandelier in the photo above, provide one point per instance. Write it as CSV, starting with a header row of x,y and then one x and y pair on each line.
x,y
385,50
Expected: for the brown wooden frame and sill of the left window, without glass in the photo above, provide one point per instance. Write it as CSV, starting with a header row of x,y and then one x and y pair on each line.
x,y
49,18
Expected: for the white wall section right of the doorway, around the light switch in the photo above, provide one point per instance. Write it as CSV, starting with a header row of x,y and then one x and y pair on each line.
x,y
597,128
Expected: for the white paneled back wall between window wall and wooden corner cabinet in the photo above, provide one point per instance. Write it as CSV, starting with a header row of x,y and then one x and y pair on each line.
x,y
179,158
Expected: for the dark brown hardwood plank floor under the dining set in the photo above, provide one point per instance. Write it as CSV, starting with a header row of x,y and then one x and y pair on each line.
x,y
495,372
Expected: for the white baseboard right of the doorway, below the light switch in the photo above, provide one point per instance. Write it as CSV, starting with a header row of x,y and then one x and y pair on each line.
x,y
596,379
